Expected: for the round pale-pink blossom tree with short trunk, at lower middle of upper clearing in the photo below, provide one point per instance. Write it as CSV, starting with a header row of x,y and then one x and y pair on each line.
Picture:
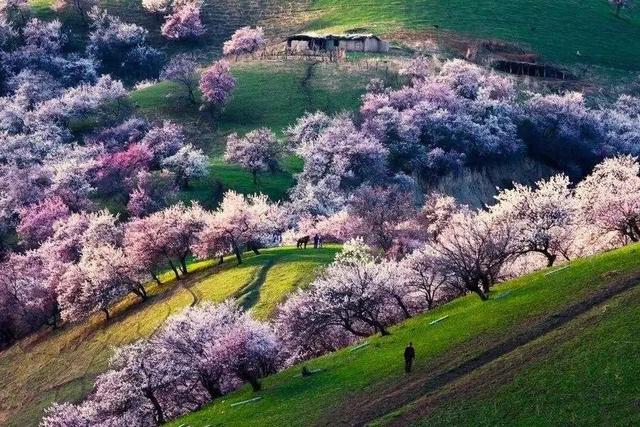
x,y
257,151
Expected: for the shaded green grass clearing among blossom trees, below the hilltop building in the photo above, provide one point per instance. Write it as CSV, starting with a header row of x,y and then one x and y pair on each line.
x,y
269,94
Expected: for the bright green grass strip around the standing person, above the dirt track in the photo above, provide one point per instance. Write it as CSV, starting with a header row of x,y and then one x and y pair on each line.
x,y
365,383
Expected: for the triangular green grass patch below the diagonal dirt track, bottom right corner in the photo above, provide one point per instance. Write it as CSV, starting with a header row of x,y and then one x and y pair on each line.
x,y
584,374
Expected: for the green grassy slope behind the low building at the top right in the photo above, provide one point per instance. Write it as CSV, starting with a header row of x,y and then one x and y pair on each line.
x,y
556,29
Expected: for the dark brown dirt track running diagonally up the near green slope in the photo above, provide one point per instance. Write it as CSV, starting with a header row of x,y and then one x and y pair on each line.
x,y
387,398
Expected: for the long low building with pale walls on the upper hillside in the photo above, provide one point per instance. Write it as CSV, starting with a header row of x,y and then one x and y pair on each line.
x,y
327,42
